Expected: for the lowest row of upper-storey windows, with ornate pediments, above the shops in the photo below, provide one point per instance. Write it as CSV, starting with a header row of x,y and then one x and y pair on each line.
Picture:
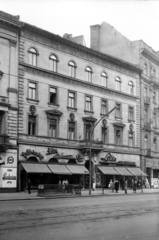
x,y
72,129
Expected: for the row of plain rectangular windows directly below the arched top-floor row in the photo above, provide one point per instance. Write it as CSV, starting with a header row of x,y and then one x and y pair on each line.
x,y
72,101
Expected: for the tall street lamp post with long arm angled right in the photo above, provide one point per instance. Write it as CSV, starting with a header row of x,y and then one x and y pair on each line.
x,y
90,145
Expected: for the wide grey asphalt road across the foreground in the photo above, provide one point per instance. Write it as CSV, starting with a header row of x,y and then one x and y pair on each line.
x,y
96,218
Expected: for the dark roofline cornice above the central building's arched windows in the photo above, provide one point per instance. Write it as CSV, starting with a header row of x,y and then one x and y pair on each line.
x,y
87,50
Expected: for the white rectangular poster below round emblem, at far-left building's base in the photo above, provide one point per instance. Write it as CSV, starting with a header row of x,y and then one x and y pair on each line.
x,y
9,177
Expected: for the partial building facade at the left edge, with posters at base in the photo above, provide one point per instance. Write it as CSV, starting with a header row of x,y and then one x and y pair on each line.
x,y
9,30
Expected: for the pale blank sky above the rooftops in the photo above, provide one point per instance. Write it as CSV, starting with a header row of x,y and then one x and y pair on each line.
x,y
135,19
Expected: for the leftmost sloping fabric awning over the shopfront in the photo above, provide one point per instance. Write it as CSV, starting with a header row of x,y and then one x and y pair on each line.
x,y
35,168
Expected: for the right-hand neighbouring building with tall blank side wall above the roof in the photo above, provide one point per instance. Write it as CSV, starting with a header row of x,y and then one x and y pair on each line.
x,y
106,39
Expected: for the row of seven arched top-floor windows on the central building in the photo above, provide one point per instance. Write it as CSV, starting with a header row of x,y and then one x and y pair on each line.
x,y
72,70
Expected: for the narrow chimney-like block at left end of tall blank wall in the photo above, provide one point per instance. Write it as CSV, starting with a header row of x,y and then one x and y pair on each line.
x,y
94,41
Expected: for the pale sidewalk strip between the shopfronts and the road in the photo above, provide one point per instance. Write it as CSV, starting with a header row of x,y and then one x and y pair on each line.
x,y
85,193
